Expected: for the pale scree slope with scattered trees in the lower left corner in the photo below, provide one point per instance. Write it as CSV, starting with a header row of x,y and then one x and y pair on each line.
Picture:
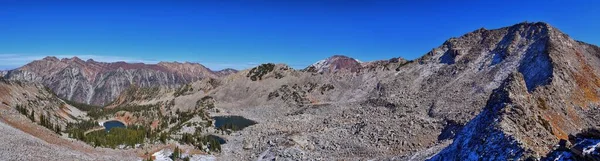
x,y
29,117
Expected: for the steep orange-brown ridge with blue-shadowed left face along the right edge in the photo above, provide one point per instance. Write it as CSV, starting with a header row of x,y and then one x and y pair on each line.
x,y
543,103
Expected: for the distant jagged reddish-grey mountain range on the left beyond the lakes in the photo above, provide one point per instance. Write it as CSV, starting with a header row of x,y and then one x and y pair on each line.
x,y
99,83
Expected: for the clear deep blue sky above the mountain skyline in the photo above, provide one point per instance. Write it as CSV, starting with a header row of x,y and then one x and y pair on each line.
x,y
240,34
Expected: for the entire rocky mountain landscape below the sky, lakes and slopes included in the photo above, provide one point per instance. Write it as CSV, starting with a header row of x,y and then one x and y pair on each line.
x,y
522,92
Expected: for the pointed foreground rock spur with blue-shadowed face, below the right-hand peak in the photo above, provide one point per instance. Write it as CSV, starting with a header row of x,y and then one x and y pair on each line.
x,y
484,137
